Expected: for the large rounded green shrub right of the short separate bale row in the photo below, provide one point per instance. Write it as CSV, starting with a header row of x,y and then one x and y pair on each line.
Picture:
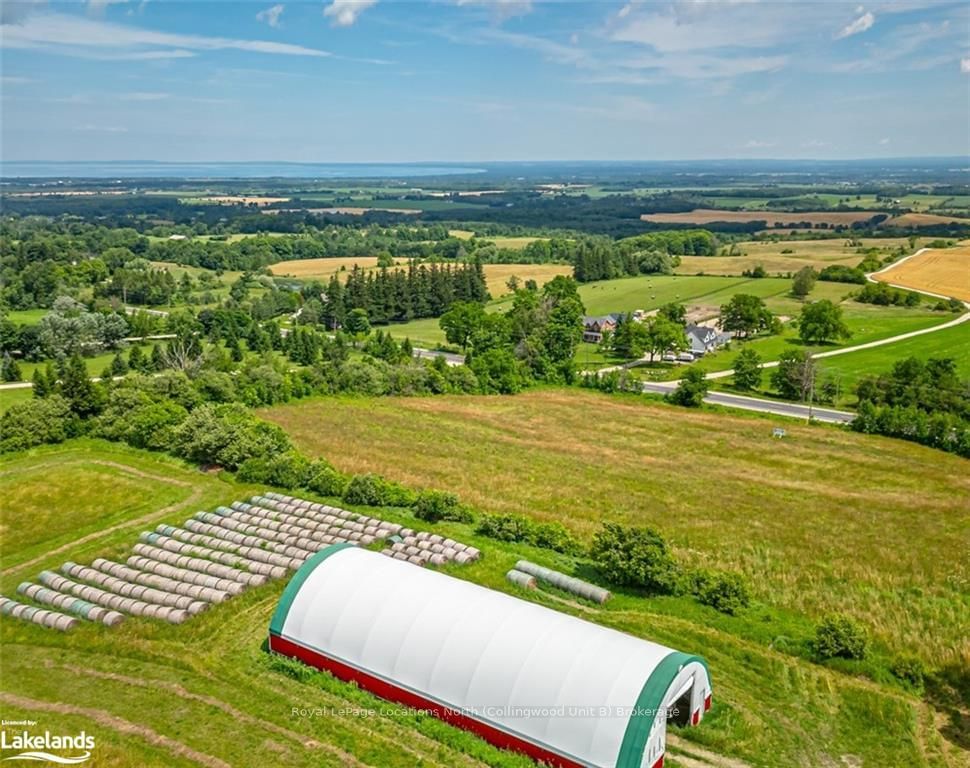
x,y
635,557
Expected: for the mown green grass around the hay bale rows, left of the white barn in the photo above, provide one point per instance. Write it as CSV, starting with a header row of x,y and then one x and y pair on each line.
x,y
154,694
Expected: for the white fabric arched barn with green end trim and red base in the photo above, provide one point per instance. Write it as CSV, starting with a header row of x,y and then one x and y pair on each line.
x,y
524,677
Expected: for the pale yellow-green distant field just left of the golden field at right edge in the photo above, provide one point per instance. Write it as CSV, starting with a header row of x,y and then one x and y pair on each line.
x,y
786,256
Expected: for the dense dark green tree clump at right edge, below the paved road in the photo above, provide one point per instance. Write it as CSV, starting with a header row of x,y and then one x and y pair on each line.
x,y
925,402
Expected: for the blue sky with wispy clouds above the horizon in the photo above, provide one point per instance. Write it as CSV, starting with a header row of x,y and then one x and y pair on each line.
x,y
467,80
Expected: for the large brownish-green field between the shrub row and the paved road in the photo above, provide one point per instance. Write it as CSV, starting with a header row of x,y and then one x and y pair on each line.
x,y
823,520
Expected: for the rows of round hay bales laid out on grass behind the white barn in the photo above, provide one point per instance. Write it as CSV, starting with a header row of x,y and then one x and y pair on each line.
x,y
177,572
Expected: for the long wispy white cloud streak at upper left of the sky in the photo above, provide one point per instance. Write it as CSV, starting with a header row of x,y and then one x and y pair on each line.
x,y
76,36
